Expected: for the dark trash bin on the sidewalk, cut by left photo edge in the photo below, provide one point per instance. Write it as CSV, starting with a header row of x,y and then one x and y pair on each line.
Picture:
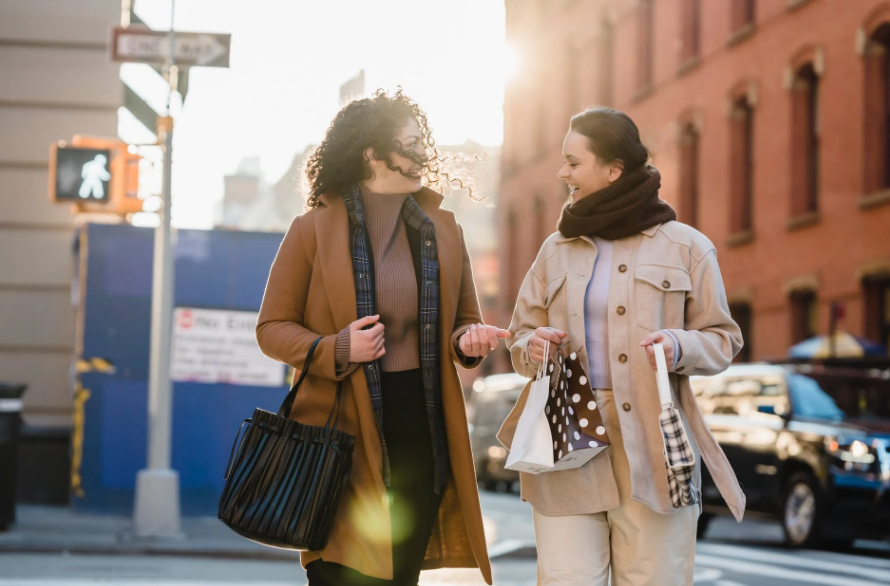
x,y
10,421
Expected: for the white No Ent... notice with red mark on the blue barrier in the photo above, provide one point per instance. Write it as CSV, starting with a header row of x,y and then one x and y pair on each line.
x,y
219,346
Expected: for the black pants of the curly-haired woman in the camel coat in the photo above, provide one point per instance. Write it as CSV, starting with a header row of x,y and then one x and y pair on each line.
x,y
413,504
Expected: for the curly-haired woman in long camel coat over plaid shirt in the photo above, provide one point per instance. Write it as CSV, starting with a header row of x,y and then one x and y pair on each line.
x,y
378,271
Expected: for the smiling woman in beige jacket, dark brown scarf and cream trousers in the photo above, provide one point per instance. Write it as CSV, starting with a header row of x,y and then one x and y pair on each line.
x,y
619,275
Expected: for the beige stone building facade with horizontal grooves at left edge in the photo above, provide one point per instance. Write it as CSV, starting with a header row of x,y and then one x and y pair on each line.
x,y
56,81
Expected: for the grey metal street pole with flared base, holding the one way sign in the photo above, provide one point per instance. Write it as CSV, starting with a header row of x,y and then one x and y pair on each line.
x,y
157,511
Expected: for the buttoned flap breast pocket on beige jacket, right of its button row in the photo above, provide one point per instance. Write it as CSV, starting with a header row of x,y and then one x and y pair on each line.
x,y
660,296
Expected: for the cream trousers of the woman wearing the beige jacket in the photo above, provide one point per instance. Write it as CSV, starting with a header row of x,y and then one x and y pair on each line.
x,y
640,546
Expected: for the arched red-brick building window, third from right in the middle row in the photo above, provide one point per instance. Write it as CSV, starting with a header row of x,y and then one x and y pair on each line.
x,y
741,173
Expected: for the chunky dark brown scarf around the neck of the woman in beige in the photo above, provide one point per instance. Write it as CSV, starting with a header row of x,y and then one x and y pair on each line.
x,y
626,207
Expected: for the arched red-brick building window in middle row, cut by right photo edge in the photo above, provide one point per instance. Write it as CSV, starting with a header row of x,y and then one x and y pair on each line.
x,y
877,111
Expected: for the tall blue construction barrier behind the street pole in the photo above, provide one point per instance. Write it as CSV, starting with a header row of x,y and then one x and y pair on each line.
x,y
214,270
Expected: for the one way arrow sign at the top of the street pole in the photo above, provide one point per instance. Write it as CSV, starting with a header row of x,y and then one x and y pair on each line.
x,y
143,45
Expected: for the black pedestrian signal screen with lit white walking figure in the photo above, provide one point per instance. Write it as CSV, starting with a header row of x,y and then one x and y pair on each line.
x,y
81,175
